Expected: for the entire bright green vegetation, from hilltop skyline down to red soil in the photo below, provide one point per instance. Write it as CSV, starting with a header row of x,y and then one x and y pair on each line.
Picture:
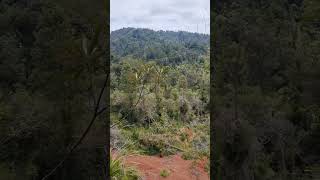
x,y
159,99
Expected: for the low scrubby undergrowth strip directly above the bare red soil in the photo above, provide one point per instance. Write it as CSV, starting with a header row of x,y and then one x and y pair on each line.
x,y
165,138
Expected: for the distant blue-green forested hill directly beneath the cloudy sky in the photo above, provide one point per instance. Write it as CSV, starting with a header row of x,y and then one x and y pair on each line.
x,y
164,46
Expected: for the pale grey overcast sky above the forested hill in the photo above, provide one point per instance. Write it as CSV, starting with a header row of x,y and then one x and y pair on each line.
x,y
175,15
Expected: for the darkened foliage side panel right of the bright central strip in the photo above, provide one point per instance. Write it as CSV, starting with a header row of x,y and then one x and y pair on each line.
x,y
265,89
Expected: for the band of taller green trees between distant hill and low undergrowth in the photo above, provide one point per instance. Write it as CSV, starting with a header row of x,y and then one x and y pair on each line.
x,y
146,92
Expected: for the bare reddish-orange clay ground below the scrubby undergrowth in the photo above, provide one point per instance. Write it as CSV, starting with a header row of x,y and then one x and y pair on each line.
x,y
150,167
